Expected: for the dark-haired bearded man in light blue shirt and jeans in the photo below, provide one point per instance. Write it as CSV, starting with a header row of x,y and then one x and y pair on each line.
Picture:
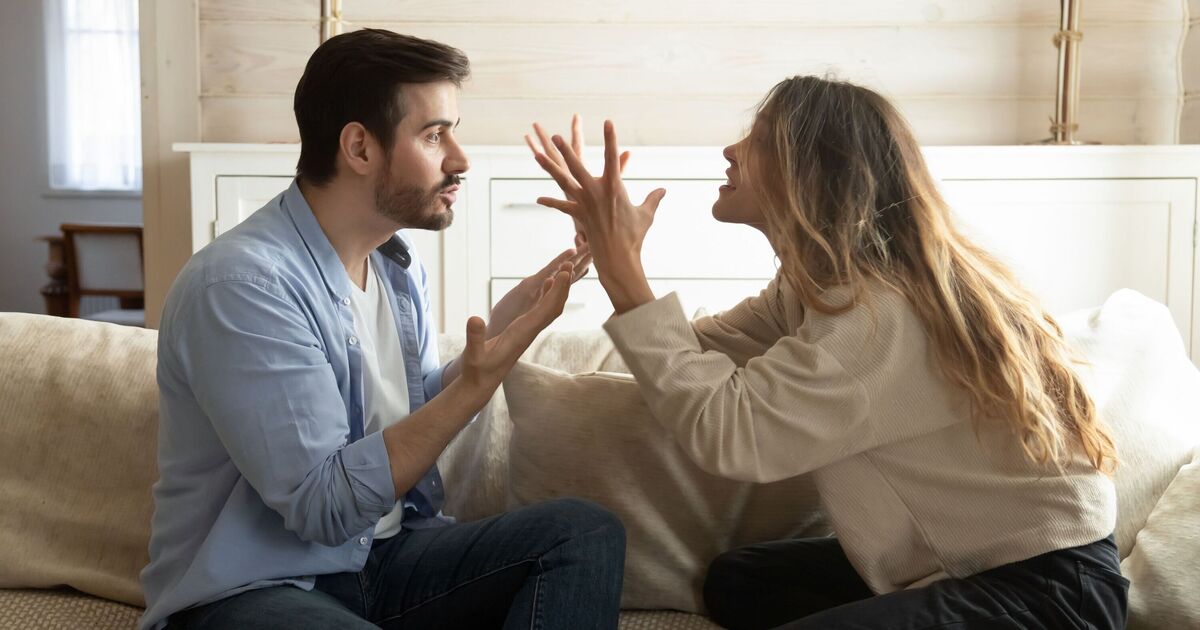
x,y
303,405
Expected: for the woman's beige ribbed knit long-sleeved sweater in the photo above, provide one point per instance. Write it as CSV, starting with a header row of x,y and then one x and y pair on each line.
x,y
764,393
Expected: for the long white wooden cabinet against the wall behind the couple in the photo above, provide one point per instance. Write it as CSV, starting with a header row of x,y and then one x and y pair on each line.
x,y
1073,223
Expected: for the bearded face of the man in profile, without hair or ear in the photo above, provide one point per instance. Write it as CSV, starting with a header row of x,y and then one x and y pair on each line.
x,y
419,184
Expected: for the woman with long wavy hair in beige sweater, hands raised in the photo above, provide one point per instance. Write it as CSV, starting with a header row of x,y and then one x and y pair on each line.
x,y
961,461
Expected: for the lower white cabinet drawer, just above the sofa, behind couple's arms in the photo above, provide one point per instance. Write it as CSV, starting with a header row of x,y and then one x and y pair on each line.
x,y
589,307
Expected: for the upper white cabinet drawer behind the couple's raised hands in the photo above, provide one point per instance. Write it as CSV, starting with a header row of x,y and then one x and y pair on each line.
x,y
685,243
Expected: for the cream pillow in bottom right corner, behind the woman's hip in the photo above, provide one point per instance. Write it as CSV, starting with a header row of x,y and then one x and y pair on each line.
x,y
1165,566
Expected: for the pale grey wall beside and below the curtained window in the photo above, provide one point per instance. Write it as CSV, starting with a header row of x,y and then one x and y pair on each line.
x,y
26,212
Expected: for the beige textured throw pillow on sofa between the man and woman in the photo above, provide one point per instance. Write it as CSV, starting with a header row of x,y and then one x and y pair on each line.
x,y
592,436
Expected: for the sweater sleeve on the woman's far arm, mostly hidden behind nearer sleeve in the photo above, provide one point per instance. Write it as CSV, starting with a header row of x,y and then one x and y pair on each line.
x,y
747,331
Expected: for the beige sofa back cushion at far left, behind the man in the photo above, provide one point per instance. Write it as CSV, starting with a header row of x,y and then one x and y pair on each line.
x,y
79,421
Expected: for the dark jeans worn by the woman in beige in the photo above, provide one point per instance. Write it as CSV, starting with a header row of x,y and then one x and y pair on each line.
x,y
808,584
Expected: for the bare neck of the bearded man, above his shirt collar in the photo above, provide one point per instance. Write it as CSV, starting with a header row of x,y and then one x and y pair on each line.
x,y
349,218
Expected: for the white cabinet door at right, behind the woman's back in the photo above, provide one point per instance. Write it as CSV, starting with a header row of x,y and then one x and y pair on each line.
x,y
1075,242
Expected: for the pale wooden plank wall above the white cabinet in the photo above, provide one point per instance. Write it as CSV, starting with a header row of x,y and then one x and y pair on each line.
x,y
689,71
